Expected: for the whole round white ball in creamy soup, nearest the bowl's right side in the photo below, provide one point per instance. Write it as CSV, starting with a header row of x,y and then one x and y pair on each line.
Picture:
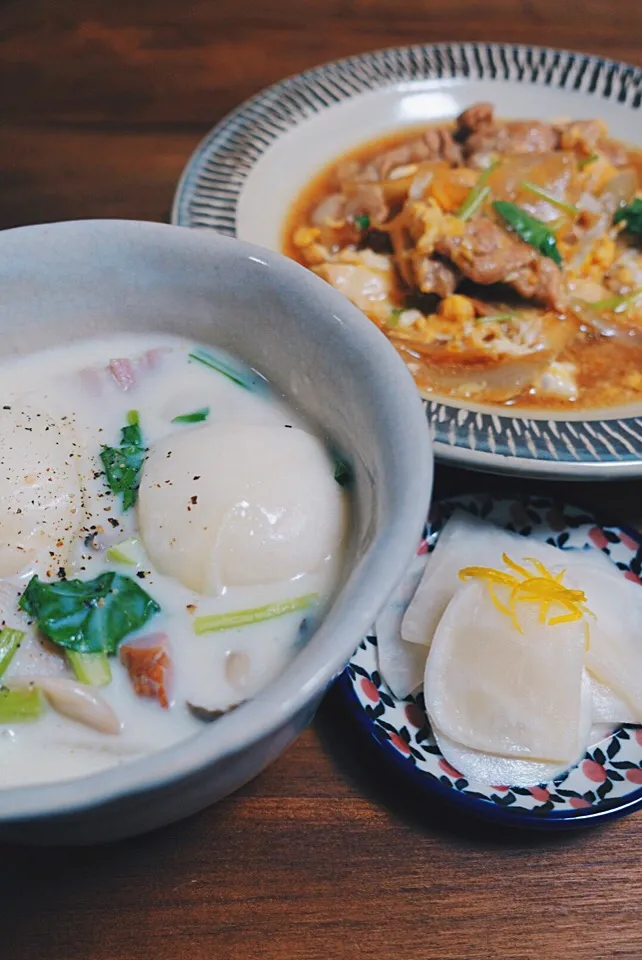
x,y
233,505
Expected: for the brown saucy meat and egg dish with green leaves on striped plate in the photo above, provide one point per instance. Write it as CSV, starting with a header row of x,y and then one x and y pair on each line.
x,y
501,258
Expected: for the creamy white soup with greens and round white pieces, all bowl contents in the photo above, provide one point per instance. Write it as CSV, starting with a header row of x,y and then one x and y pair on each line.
x,y
168,528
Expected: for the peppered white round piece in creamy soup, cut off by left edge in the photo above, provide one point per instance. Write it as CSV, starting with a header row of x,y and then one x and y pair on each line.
x,y
40,493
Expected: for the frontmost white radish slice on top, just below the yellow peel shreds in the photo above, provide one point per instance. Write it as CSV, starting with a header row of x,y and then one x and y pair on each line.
x,y
492,688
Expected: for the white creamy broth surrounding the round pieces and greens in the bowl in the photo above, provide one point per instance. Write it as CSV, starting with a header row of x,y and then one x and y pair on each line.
x,y
74,387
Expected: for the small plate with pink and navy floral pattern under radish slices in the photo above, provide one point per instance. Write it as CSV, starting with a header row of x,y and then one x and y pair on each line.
x,y
605,783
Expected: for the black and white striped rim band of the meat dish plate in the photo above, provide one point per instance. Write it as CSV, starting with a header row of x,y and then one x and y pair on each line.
x,y
213,180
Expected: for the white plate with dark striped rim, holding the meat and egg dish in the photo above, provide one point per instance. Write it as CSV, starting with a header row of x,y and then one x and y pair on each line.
x,y
245,174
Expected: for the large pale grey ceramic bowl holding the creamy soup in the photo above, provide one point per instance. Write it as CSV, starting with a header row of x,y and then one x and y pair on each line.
x,y
68,281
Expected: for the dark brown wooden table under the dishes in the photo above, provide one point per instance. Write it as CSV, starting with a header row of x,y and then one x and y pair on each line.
x,y
321,858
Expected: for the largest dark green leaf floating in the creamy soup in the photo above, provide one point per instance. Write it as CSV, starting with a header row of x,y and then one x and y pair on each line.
x,y
88,616
